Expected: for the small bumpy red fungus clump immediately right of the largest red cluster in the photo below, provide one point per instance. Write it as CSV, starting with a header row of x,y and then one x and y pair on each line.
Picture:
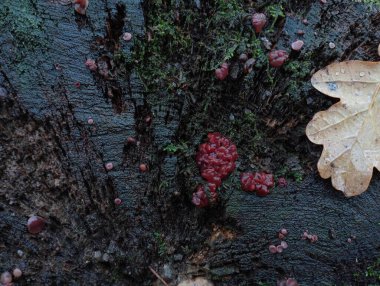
x,y
257,182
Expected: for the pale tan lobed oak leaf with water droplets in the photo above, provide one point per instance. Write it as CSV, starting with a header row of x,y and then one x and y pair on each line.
x,y
349,130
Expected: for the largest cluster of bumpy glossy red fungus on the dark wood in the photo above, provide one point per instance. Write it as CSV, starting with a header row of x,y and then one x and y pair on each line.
x,y
216,160
